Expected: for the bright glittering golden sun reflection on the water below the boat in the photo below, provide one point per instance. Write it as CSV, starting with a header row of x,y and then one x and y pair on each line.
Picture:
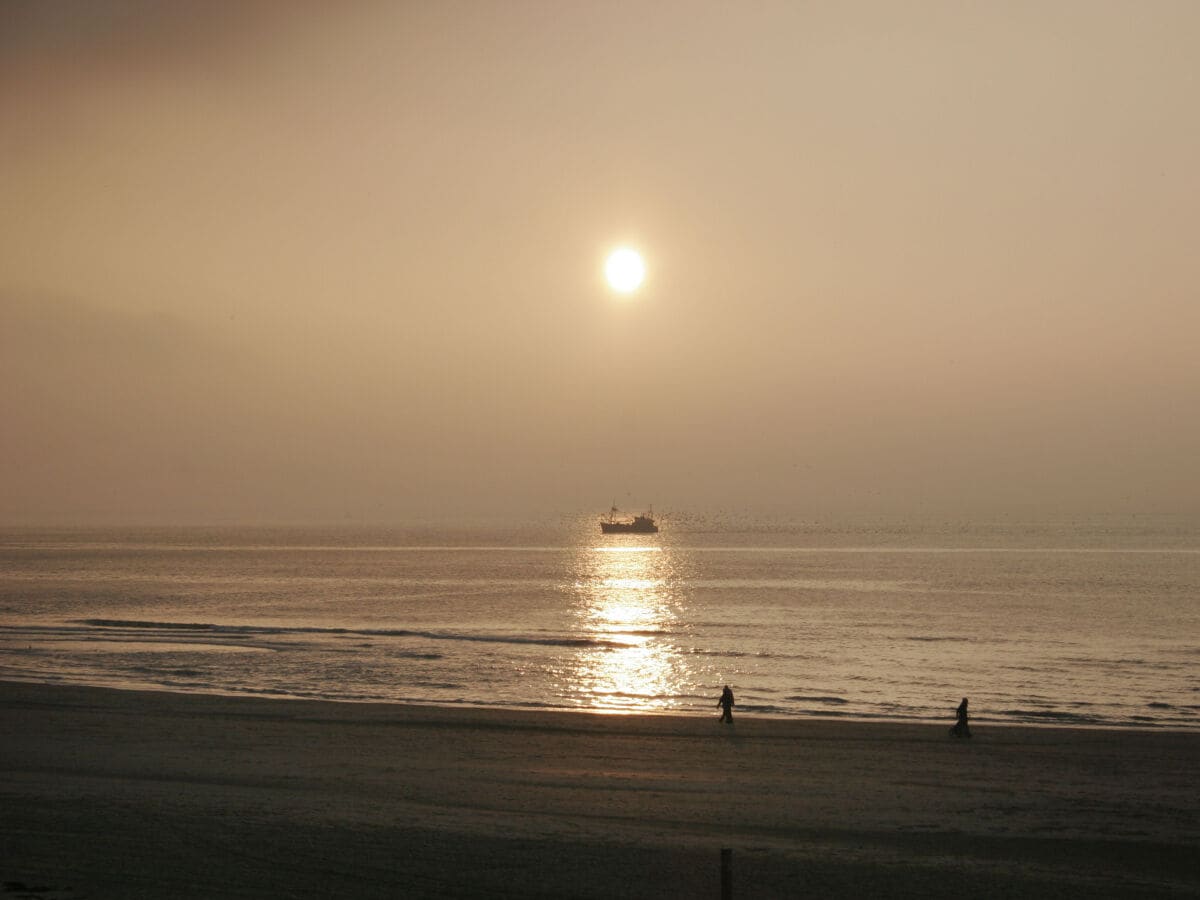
x,y
629,603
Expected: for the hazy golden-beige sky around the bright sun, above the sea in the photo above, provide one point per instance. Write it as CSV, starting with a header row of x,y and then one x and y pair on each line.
x,y
304,262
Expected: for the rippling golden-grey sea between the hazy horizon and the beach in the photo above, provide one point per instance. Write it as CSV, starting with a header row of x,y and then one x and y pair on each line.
x,y
1090,623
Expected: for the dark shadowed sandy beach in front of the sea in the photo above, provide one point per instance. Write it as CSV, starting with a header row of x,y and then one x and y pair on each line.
x,y
127,795
